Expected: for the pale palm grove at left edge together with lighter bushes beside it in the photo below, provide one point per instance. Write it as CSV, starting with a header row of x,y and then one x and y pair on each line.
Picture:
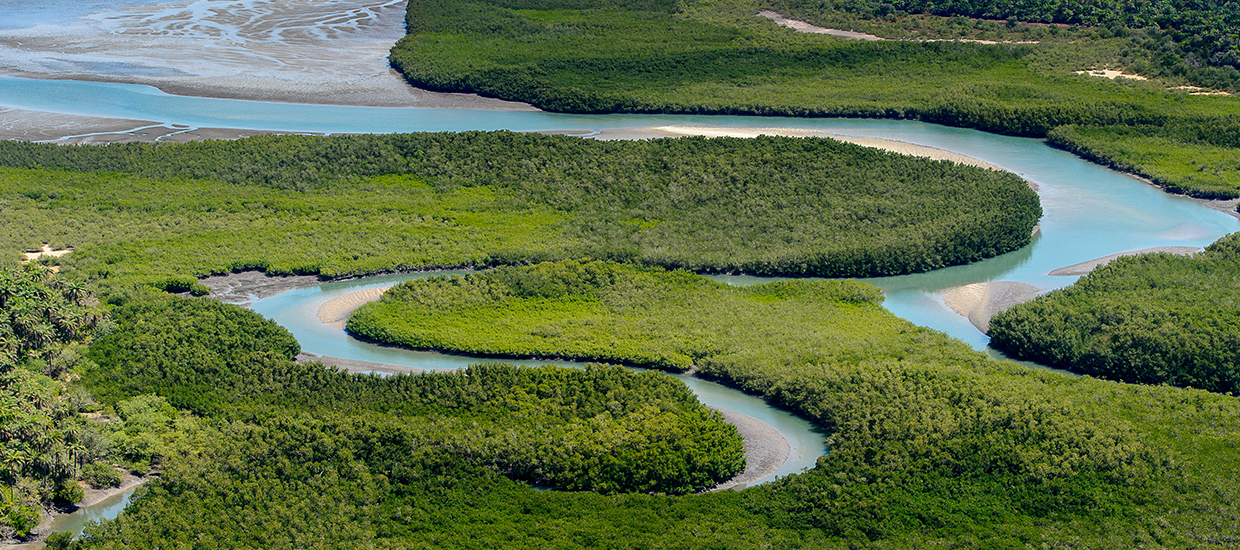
x,y
49,449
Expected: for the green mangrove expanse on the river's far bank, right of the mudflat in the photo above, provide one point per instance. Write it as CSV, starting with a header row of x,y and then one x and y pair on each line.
x,y
716,56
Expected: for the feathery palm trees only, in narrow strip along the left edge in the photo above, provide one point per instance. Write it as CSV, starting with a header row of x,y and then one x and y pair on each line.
x,y
42,437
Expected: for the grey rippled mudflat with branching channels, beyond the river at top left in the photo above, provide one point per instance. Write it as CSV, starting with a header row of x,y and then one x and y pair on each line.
x,y
304,51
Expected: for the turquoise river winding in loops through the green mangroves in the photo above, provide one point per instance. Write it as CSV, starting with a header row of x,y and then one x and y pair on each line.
x,y
1091,211
